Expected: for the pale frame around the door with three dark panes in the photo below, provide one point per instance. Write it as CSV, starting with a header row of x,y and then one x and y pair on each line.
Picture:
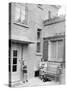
x,y
21,58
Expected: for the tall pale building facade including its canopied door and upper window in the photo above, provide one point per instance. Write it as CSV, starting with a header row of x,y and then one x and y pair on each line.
x,y
26,33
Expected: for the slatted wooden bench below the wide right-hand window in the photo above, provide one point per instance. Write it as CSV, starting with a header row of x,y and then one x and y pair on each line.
x,y
53,71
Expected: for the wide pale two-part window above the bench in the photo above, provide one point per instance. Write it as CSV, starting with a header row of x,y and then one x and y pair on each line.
x,y
57,49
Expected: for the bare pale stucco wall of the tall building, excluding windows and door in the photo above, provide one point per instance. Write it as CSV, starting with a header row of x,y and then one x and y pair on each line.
x,y
35,18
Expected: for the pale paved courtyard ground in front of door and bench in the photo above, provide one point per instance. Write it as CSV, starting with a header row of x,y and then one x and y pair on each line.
x,y
35,82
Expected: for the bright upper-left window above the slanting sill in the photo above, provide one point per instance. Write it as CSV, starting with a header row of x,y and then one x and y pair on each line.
x,y
19,13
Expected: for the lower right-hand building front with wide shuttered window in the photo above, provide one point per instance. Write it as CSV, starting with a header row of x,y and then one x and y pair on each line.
x,y
54,39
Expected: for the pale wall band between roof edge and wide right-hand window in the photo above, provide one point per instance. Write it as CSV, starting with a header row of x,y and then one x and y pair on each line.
x,y
53,29
